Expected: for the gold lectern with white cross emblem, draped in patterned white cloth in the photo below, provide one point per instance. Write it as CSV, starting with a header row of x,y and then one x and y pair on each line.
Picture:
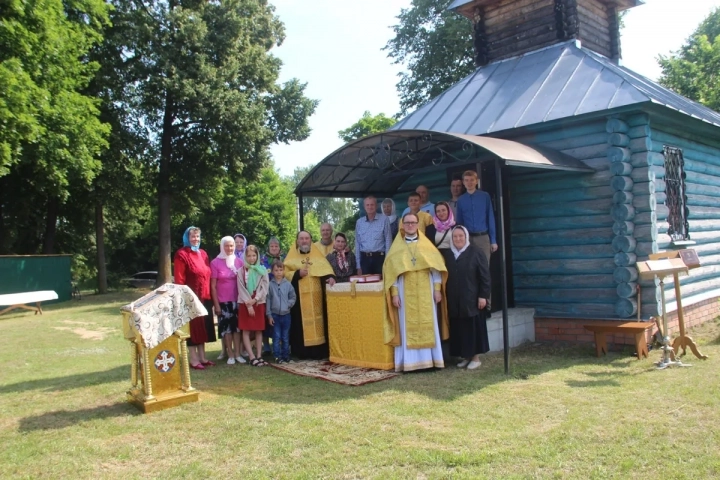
x,y
158,325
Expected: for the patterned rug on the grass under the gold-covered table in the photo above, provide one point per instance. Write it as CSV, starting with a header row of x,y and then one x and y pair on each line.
x,y
336,373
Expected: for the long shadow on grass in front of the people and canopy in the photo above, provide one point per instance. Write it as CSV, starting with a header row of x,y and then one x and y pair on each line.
x,y
526,363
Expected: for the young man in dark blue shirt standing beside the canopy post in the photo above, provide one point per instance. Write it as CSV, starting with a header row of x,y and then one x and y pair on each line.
x,y
475,212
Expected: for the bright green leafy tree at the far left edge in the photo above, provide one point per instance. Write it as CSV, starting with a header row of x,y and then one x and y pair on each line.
x,y
50,133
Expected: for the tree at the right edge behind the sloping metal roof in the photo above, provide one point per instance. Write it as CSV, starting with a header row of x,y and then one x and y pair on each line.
x,y
694,71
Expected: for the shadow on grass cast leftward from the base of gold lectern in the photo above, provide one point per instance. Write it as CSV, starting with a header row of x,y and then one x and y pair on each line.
x,y
68,418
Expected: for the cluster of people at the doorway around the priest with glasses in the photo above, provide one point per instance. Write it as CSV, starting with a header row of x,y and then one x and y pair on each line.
x,y
435,272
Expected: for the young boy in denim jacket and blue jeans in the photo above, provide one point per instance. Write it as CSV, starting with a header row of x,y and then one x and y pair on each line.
x,y
280,299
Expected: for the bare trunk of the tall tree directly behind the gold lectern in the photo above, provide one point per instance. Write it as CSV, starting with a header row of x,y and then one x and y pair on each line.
x,y
164,197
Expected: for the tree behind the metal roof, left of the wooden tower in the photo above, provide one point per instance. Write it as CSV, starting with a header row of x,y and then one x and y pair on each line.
x,y
434,47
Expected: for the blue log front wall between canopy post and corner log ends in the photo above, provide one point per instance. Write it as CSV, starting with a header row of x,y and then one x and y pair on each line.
x,y
562,228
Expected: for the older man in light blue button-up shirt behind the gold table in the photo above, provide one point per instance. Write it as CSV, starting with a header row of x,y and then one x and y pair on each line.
x,y
372,239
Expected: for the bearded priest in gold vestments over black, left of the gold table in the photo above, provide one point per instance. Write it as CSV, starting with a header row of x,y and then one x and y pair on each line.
x,y
308,270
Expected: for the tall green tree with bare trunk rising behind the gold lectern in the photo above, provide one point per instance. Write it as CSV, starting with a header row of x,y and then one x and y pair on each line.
x,y
203,89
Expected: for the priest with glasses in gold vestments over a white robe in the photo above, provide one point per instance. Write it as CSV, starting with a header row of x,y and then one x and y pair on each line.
x,y
414,277
